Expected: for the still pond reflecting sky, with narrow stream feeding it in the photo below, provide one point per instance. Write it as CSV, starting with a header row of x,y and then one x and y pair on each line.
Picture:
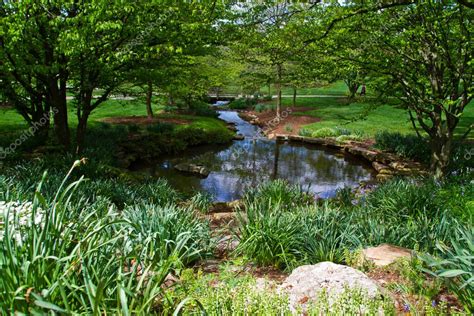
x,y
246,163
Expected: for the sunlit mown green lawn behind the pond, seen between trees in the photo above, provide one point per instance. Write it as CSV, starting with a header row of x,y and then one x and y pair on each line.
x,y
333,112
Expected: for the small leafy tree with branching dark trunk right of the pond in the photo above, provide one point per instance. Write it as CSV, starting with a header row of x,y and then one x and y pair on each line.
x,y
425,51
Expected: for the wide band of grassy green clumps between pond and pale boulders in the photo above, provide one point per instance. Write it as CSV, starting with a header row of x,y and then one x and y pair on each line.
x,y
281,228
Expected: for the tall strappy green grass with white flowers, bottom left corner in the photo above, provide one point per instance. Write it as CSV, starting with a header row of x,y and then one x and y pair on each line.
x,y
85,256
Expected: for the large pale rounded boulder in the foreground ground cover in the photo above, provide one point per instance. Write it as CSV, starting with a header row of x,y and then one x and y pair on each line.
x,y
307,283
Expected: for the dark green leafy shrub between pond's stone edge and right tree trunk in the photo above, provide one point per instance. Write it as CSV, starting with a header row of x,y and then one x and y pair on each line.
x,y
408,146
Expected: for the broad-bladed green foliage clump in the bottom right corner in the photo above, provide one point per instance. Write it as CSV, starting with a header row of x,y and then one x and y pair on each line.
x,y
454,266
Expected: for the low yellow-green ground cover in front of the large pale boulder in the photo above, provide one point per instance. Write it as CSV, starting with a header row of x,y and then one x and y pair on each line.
x,y
231,293
